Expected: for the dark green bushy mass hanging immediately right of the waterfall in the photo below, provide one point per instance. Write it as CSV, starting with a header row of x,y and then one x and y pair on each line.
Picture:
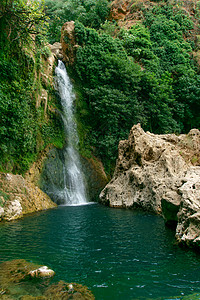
x,y
110,81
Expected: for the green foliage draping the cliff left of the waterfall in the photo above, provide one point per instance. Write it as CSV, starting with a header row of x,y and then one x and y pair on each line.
x,y
24,127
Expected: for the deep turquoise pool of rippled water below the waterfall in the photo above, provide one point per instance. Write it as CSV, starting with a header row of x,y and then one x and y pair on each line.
x,y
118,254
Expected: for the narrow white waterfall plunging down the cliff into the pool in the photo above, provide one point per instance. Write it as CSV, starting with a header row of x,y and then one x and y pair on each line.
x,y
73,190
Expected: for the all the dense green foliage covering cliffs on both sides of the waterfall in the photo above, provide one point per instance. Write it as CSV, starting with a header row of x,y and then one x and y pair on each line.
x,y
146,74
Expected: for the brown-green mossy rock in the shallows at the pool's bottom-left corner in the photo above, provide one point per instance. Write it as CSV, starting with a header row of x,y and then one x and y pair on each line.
x,y
16,283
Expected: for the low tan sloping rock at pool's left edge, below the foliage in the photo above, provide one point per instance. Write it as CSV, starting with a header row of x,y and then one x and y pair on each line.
x,y
19,197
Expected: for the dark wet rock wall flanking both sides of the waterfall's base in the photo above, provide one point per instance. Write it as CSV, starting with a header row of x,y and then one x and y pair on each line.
x,y
52,179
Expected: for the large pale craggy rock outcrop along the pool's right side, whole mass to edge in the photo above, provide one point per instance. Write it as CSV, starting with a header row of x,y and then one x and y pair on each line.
x,y
160,173
